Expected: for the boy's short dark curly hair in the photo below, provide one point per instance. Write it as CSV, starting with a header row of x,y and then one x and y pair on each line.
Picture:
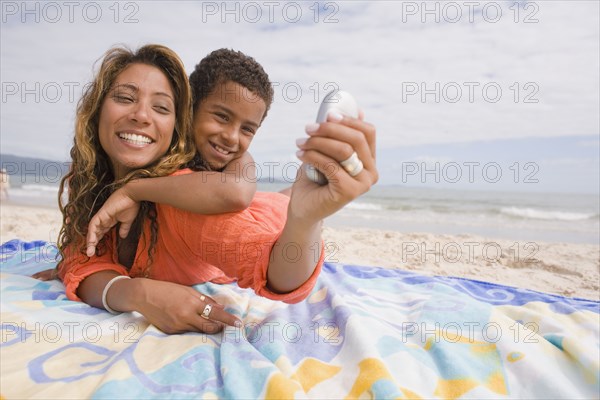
x,y
226,65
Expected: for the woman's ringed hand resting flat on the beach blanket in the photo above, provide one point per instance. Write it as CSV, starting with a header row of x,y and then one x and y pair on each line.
x,y
175,308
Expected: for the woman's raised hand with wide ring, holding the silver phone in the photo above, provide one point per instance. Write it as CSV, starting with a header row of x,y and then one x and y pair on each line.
x,y
328,144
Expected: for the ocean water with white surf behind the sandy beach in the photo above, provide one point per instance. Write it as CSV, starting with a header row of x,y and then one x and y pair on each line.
x,y
549,217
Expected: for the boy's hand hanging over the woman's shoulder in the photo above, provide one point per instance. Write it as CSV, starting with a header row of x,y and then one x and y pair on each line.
x,y
119,207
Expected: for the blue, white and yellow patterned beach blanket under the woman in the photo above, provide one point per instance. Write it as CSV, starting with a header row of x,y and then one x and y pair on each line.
x,y
364,332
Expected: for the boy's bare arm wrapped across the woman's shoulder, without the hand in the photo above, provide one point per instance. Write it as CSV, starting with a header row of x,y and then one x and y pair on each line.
x,y
202,192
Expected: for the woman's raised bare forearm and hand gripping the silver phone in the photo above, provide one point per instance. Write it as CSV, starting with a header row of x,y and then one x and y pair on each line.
x,y
328,144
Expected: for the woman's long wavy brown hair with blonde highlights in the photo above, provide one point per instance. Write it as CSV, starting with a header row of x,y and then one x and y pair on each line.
x,y
90,180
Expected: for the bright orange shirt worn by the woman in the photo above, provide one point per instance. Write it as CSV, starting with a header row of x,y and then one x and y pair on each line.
x,y
194,248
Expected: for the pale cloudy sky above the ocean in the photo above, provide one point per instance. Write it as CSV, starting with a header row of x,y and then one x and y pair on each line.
x,y
467,94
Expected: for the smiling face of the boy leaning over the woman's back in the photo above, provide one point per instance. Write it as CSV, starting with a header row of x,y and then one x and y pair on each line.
x,y
225,123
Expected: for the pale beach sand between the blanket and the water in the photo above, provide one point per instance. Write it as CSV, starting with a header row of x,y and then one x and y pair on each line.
x,y
571,270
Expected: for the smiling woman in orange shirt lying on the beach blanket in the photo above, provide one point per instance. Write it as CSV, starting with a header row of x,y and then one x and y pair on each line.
x,y
133,123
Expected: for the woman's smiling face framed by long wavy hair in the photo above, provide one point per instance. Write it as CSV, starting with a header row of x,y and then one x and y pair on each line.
x,y
137,118
